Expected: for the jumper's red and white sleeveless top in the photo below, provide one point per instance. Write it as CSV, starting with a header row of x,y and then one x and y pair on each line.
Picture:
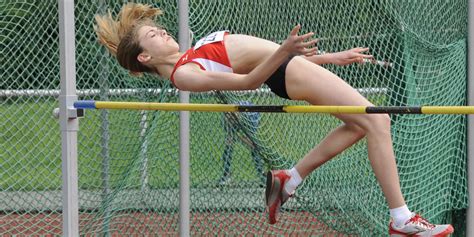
x,y
209,53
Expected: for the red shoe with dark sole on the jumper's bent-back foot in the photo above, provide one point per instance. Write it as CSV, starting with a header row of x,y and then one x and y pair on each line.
x,y
275,194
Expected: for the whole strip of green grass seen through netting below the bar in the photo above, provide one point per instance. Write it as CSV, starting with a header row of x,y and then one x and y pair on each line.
x,y
31,146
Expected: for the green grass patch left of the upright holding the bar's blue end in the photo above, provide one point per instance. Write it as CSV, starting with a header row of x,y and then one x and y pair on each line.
x,y
31,152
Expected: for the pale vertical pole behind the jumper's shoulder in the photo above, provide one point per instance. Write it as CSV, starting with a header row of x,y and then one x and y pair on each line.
x,y
184,191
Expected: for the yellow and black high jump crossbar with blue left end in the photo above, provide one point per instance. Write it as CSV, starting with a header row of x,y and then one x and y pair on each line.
x,y
90,104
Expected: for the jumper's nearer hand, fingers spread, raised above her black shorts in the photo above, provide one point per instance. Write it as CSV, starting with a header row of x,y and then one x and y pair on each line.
x,y
300,44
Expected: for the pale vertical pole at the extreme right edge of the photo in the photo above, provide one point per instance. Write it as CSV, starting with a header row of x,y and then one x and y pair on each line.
x,y
470,119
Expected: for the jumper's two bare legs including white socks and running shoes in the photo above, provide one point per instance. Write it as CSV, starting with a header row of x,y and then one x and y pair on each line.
x,y
306,81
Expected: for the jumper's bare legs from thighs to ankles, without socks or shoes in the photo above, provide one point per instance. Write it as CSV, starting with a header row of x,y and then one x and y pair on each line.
x,y
316,85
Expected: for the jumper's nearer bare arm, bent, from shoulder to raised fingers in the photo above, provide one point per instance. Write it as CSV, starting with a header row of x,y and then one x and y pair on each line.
x,y
190,77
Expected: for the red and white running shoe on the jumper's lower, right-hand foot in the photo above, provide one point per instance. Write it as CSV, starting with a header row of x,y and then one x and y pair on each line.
x,y
418,226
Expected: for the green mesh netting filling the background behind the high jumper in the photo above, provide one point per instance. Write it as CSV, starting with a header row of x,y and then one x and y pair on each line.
x,y
128,160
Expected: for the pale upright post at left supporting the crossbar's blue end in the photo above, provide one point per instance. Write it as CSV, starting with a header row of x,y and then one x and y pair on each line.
x,y
68,119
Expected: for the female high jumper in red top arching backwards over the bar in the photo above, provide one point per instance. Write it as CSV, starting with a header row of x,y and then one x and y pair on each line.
x,y
227,61
